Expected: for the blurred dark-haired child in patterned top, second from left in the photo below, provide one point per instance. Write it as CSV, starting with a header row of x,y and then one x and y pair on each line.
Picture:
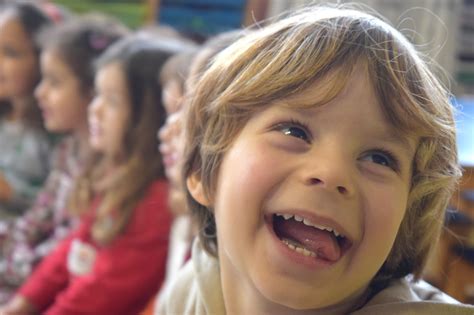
x,y
64,93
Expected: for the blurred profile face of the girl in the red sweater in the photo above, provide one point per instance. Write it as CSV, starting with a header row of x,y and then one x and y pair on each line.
x,y
109,112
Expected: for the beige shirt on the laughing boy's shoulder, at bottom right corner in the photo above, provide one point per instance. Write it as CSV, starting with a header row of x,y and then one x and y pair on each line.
x,y
405,296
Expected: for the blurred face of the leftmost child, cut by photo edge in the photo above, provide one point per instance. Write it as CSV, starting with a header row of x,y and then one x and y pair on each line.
x,y
18,61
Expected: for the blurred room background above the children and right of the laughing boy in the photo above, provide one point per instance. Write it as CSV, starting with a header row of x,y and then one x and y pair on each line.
x,y
441,29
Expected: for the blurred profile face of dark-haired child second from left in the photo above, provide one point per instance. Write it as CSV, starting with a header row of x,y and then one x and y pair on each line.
x,y
60,96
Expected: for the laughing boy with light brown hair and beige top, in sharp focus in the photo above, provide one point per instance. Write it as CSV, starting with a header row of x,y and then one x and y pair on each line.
x,y
320,158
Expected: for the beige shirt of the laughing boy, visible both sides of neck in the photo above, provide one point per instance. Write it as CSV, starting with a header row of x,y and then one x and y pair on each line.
x,y
197,290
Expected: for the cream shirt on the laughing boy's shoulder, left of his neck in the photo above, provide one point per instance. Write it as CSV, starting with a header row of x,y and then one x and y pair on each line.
x,y
196,288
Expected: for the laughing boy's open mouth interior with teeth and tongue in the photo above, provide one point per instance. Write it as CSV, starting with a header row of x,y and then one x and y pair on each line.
x,y
309,239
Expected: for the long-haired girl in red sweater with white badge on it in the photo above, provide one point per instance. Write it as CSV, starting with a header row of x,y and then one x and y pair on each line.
x,y
115,261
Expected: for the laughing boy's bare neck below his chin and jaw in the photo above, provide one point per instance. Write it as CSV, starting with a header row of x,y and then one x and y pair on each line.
x,y
241,297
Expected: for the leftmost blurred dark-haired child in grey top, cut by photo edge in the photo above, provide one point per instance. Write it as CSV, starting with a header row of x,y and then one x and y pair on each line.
x,y
24,145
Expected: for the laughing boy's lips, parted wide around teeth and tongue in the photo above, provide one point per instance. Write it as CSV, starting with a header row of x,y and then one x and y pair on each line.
x,y
316,239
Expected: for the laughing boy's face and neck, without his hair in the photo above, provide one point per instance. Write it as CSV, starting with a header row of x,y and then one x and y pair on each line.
x,y
340,167
